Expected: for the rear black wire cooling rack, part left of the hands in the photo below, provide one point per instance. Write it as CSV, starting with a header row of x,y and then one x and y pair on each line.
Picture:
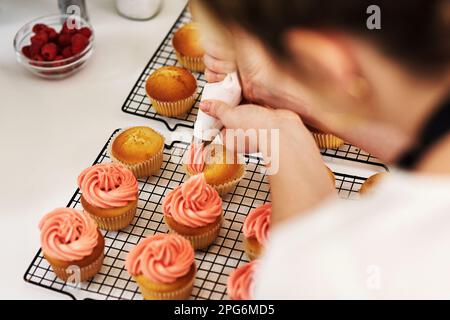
x,y
137,102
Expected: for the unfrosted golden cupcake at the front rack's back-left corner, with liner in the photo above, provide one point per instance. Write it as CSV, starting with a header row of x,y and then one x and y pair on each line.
x,y
140,149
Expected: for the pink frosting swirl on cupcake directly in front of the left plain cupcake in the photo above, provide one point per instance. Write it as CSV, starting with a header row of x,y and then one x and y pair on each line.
x,y
108,185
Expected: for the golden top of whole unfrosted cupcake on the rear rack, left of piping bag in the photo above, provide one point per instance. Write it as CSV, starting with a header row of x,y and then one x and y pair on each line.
x,y
171,83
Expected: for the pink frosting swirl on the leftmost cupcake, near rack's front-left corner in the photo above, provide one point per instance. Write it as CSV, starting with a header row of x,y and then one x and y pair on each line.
x,y
68,235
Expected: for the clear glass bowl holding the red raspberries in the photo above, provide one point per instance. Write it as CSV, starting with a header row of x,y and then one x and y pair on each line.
x,y
52,69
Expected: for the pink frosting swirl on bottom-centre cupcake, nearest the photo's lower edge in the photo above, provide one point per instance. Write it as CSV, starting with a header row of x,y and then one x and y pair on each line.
x,y
162,258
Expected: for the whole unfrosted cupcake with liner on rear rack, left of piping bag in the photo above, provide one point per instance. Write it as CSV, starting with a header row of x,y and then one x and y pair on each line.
x,y
171,90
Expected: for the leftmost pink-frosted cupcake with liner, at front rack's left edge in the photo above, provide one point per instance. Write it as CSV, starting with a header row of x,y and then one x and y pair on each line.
x,y
72,244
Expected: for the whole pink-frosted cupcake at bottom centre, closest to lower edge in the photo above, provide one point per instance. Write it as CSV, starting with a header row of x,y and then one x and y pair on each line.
x,y
163,266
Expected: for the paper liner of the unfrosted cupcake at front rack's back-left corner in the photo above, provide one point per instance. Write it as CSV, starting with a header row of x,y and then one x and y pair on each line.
x,y
143,169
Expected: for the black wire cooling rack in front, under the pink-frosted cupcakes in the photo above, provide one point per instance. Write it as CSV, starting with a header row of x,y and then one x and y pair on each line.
x,y
214,264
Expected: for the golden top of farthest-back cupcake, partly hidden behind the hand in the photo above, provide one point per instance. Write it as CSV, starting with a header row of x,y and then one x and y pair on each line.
x,y
187,41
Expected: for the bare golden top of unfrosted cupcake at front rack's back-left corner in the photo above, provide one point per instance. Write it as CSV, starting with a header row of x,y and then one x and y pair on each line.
x,y
137,144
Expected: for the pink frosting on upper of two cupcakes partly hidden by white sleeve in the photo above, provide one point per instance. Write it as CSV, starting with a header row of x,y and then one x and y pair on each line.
x,y
257,223
